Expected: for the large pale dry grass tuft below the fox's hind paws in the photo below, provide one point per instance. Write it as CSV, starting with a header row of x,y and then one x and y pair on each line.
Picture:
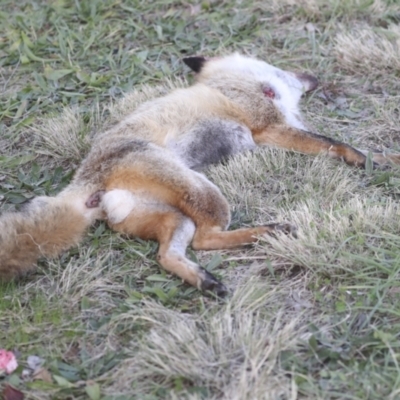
x,y
231,349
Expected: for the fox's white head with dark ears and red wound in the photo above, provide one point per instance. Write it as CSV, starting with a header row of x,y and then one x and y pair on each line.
x,y
253,82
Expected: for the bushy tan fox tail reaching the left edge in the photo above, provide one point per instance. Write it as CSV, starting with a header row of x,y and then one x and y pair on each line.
x,y
44,227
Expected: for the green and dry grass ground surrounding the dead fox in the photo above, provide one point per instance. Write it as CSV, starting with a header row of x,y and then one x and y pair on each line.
x,y
312,318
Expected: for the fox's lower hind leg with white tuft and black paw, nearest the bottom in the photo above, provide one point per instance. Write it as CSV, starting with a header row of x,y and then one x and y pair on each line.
x,y
150,219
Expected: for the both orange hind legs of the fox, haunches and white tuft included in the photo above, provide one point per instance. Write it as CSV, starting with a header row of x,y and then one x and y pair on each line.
x,y
151,196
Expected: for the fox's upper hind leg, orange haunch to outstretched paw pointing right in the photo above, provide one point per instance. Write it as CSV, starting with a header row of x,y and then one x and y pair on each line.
x,y
197,198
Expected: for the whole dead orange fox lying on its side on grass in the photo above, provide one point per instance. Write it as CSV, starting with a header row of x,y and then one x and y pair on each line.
x,y
141,176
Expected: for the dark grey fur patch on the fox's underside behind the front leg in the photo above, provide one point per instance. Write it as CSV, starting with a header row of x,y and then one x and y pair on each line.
x,y
212,141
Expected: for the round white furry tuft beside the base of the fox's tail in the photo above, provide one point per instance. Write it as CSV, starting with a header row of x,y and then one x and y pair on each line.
x,y
118,204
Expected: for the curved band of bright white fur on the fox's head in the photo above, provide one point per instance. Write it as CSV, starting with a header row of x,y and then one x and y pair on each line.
x,y
287,87
